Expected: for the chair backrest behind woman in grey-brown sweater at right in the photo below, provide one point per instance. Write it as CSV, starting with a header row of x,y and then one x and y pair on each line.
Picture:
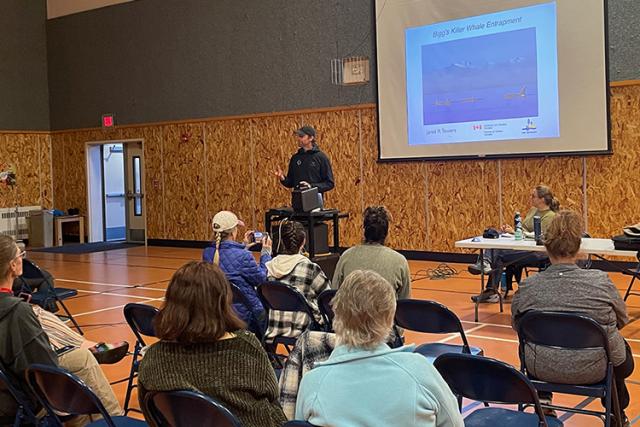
x,y
559,329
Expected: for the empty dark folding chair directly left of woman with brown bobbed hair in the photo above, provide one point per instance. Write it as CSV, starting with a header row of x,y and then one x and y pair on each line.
x,y
140,319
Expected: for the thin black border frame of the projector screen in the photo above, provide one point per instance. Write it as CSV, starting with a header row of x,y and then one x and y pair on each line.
x,y
605,152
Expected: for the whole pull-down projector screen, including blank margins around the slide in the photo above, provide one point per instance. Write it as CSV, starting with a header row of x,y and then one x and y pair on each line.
x,y
463,79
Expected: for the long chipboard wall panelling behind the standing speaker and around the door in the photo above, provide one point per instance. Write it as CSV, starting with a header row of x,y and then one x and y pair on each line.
x,y
229,164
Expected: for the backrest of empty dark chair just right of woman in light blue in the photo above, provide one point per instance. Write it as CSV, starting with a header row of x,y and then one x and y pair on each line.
x,y
487,380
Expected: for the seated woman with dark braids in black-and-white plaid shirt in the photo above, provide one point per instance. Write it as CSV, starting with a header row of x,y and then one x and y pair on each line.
x,y
295,269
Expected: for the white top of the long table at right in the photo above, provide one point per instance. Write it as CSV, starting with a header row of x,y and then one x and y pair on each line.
x,y
588,246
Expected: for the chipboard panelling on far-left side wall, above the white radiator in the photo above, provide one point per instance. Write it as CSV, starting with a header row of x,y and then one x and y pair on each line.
x,y
30,155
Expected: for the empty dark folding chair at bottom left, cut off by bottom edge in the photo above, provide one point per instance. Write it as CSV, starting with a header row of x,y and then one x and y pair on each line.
x,y
60,391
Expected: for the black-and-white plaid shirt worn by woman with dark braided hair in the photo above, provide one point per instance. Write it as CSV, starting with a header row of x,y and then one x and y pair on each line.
x,y
309,279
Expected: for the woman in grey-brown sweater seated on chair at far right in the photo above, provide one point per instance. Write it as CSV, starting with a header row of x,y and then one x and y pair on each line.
x,y
565,287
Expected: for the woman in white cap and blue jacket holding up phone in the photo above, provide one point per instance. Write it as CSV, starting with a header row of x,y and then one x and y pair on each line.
x,y
238,264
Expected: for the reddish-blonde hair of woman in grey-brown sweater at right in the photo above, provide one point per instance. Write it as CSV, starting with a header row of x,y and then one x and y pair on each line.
x,y
563,237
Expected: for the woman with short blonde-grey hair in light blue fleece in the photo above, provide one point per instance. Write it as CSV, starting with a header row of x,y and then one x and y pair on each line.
x,y
366,383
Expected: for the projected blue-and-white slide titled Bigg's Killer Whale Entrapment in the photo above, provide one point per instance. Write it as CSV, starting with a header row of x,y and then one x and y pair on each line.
x,y
484,78
